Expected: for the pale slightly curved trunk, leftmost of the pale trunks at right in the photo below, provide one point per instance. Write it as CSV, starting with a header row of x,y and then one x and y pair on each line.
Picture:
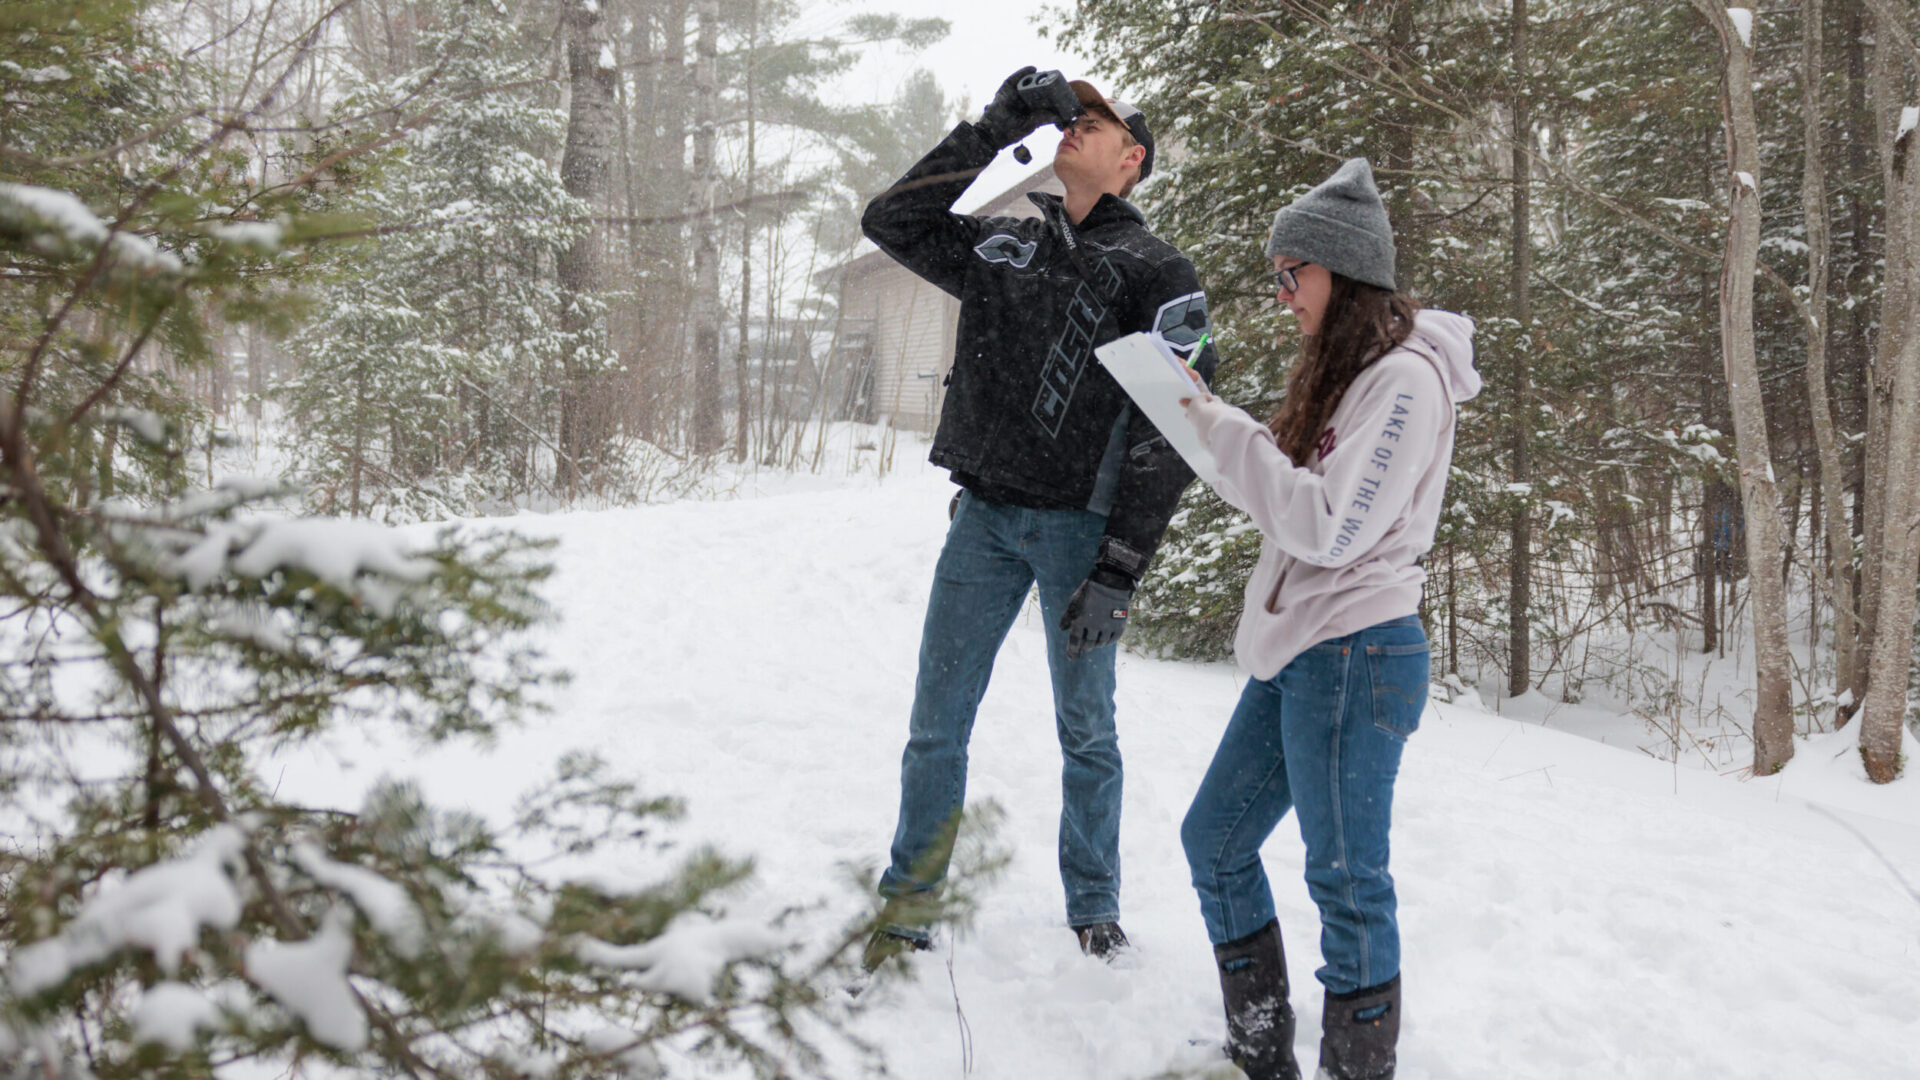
x,y
1773,708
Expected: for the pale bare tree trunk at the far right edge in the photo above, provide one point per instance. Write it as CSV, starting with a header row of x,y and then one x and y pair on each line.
x,y
1894,414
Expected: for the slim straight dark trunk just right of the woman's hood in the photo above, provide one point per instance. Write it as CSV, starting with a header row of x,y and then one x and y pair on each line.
x,y
1522,529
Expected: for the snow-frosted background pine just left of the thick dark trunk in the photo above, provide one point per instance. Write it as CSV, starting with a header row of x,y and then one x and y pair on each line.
x,y
433,372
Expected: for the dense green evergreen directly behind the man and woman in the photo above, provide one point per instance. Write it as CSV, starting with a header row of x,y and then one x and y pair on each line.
x,y
1257,109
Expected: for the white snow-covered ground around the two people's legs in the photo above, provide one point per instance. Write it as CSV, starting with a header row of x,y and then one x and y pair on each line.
x,y
1570,908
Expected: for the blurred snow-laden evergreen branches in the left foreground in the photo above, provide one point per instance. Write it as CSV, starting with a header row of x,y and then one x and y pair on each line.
x,y
176,916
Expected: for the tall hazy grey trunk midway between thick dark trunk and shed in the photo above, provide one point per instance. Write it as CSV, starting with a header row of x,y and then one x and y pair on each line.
x,y
706,303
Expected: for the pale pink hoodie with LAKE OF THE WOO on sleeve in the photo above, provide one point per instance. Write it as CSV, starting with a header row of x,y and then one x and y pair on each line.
x,y
1341,541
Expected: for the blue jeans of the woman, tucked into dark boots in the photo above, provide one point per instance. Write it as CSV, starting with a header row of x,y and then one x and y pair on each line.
x,y
1324,737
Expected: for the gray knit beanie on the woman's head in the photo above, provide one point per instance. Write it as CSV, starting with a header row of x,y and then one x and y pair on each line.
x,y
1339,226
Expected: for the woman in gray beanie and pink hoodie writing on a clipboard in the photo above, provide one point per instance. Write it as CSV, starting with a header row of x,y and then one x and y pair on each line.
x,y
1347,485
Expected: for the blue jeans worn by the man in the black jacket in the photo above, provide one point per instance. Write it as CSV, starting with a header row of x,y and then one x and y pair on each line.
x,y
992,558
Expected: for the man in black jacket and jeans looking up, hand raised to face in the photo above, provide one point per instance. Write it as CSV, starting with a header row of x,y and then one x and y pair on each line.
x,y
1065,485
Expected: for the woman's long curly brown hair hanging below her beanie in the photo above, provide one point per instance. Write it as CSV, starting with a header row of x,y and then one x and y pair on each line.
x,y
1362,324
